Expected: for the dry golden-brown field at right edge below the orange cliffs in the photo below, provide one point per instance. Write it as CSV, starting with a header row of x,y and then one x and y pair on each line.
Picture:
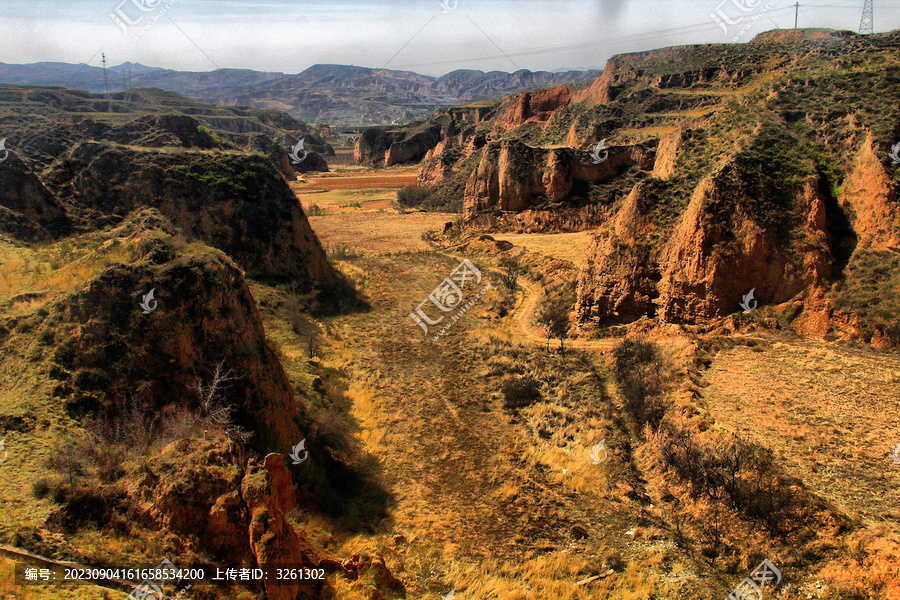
x,y
831,411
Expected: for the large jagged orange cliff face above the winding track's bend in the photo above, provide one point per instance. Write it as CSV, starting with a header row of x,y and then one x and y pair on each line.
x,y
716,255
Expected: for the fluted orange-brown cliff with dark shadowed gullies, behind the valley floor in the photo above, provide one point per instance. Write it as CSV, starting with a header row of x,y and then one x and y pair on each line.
x,y
512,177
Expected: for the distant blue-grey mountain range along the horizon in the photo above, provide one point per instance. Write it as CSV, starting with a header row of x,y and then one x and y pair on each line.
x,y
336,94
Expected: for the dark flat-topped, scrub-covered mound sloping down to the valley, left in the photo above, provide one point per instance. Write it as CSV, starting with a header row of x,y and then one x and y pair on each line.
x,y
236,203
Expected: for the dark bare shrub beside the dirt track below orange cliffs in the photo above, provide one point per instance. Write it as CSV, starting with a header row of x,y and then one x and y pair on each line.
x,y
640,374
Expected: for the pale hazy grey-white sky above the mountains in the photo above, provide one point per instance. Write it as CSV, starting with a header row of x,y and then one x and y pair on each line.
x,y
416,35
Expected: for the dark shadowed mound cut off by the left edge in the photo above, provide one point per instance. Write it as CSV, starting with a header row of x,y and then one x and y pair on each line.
x,y
28,211
